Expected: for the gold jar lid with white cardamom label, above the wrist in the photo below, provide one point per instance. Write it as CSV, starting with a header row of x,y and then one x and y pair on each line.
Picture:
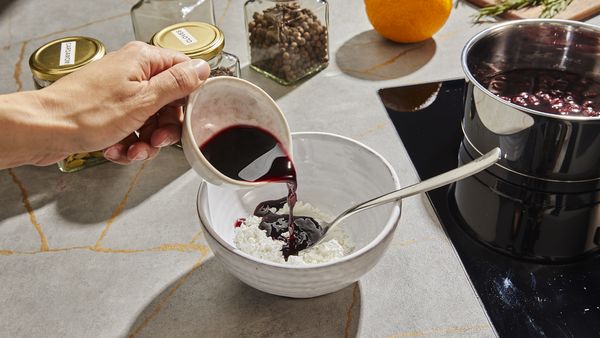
x,y
63,56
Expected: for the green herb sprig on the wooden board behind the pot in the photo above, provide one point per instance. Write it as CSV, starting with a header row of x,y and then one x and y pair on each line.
x,y
549,7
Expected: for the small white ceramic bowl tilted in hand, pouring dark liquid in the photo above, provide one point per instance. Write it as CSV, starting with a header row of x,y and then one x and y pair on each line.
x,y
223,102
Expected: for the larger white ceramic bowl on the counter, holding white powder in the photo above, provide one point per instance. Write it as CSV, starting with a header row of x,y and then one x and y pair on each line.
x,y
334,173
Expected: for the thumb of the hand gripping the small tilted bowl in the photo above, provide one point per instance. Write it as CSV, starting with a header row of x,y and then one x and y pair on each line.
x,y
177,82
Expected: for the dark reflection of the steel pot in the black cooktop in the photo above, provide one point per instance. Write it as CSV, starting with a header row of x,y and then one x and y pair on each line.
x,y
544,223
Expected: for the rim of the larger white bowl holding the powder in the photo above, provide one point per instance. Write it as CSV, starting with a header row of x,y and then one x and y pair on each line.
x,y
390,225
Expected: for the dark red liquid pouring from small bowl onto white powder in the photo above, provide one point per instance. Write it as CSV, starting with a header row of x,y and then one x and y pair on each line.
x,y
252,154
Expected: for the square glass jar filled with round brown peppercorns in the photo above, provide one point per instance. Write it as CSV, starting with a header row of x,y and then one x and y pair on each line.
x,y
287,39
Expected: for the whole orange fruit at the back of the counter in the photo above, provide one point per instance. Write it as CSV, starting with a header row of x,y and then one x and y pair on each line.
x,y
408,20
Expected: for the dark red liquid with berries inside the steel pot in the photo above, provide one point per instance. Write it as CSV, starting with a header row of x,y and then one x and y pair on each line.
x,y
548,91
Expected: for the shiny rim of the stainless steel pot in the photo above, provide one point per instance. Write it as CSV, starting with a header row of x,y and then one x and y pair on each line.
x,y
528,22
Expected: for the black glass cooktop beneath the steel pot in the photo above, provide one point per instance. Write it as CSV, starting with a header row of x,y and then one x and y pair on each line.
x,y
523,299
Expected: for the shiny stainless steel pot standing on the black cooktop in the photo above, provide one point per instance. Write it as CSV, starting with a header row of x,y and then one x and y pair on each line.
x,y
537,145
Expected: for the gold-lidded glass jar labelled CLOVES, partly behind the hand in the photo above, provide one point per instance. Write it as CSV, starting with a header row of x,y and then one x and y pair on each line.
x,y
199,40
